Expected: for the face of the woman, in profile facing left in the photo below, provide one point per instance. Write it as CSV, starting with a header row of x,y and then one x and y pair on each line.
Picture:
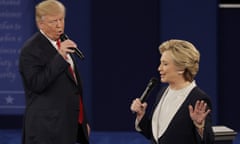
x,y
168,71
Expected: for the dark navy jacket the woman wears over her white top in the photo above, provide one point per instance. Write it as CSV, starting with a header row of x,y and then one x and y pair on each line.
x,y
181,129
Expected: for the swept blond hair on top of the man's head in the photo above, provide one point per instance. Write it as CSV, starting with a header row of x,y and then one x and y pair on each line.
x,y
48,7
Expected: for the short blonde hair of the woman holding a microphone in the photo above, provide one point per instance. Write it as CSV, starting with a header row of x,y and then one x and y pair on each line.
x,y
185,56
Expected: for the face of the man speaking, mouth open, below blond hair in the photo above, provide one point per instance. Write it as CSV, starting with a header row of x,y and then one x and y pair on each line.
x,y
52,25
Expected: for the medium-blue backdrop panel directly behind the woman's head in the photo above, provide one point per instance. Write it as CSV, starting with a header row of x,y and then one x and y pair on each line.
x,y
195,22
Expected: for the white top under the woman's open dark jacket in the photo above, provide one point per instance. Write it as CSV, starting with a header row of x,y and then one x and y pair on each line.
x,y
167,108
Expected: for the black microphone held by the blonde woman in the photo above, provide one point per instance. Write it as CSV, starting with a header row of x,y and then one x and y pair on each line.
x,y
151,84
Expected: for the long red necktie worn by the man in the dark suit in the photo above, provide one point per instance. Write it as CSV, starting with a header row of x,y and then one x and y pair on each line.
x,y
80,117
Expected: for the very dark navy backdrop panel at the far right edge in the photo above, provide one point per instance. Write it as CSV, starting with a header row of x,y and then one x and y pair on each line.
x,y
228,66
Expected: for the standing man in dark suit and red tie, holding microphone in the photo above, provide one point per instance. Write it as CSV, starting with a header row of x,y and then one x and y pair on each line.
x,y
53,113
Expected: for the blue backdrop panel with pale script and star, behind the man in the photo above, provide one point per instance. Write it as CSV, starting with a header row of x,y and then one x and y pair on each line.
x,y
16,24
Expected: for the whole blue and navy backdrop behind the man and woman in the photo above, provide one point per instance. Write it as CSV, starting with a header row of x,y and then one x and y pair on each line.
x,y
120,42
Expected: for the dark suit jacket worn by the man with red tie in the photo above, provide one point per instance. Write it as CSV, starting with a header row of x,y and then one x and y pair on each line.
x,y
52,96
